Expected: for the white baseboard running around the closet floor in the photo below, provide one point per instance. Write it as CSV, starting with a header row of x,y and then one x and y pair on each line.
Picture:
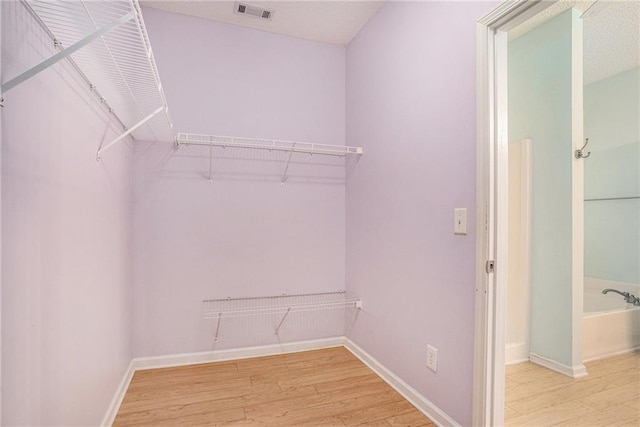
x,y
420,402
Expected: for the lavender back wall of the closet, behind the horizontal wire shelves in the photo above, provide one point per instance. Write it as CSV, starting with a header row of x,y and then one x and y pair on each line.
x,y
244,234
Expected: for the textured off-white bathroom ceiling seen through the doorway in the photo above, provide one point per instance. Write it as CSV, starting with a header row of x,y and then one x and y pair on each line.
x,y
611,34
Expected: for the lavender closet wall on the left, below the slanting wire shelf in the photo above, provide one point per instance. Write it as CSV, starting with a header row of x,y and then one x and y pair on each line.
x,y
66,222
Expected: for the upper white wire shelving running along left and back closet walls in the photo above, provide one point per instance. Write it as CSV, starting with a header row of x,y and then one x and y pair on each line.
x,y
107,43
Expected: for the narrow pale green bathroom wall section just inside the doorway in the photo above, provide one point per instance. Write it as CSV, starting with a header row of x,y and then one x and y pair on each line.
x,y
545,105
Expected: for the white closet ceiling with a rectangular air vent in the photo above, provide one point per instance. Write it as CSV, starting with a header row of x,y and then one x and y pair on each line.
x,y
335,22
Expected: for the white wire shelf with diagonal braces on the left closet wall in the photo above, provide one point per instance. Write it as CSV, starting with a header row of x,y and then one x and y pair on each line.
x,y
107,42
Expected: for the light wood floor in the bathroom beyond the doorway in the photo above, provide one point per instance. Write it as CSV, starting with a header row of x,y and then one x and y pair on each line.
x,y
608,396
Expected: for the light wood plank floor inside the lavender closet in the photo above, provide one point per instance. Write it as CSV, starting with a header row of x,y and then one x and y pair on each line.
x,y
328,387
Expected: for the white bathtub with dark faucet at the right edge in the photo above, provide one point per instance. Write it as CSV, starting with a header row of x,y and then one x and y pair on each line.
x,y
611,326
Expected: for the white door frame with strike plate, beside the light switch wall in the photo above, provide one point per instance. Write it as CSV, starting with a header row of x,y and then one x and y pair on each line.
x,y
491,200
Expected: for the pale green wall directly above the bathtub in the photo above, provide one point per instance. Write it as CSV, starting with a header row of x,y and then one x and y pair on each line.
x,y
612,227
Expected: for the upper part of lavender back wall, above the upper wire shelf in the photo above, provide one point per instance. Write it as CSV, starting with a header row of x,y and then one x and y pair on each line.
x,y
222,79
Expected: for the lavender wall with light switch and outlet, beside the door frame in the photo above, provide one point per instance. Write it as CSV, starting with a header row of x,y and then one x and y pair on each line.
x,y
411,101
